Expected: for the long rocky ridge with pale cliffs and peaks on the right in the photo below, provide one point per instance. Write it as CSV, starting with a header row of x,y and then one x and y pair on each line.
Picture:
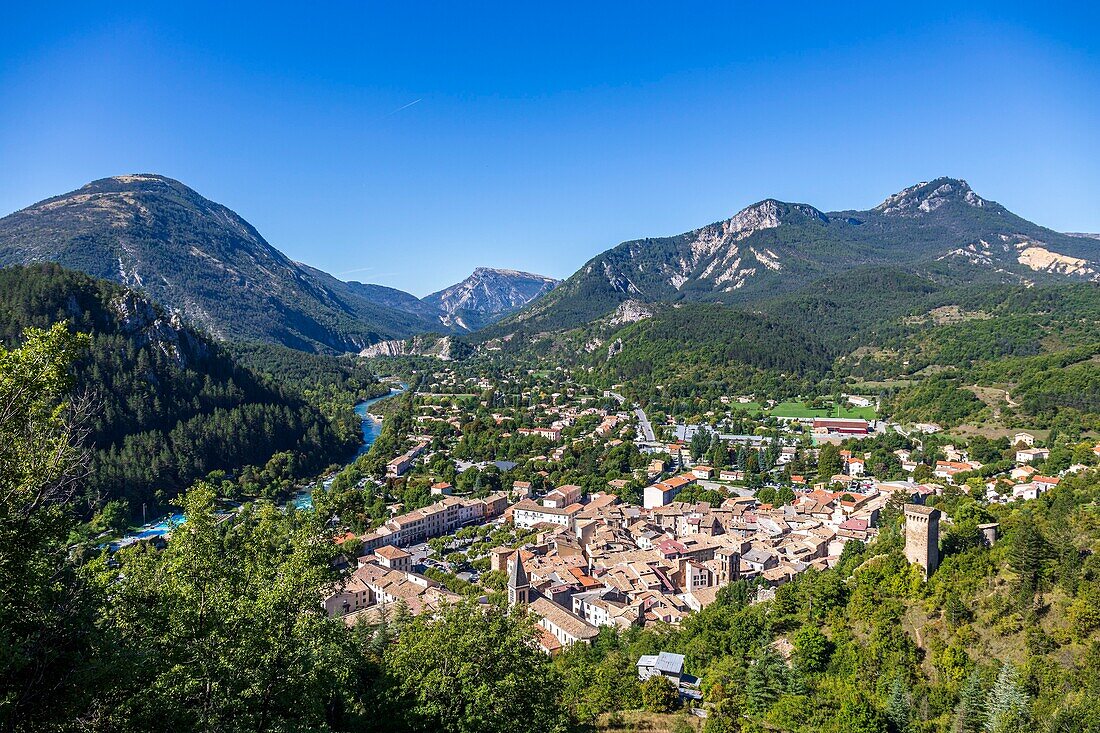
x,y
942,231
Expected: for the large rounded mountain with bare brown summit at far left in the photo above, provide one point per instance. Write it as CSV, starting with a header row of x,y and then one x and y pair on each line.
x,y
203,260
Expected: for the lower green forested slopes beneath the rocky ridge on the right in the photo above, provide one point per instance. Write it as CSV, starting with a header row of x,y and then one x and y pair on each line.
x,y
1009,356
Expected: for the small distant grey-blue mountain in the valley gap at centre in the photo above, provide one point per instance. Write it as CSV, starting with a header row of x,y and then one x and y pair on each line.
x,y
489,296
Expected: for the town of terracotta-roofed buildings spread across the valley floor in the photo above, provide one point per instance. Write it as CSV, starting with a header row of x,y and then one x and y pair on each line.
x,y
679,521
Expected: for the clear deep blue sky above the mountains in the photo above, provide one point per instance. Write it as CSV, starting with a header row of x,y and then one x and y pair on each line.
x,y
541,137
